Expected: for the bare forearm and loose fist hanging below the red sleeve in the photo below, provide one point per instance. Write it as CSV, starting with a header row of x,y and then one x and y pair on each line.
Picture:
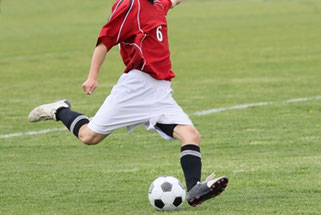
x,y
97,60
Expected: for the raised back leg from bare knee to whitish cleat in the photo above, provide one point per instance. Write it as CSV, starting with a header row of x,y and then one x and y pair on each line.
x,y
76,122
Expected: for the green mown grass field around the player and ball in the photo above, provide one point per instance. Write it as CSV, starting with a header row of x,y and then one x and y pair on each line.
x,y
224,53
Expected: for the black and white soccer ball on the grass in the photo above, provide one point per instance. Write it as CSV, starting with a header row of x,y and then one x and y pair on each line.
x,y
166,193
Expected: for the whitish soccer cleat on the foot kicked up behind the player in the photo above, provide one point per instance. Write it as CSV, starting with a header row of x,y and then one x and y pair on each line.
x,y
48,111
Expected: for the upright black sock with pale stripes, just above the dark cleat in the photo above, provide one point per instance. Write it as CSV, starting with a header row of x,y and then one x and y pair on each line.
x,y
191,164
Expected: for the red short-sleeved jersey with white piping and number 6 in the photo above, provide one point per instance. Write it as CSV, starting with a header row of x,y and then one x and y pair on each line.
x,y
141,30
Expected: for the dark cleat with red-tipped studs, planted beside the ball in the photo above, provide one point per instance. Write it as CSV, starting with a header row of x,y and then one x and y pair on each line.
x,y
210,188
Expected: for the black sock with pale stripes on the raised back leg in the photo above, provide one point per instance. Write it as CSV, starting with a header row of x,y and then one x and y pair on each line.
x,y
71,119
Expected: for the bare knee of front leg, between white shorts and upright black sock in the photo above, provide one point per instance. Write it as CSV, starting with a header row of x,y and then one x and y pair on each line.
x,y
188,134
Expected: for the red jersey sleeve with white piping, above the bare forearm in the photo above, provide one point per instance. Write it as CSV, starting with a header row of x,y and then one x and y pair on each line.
x,y
120,25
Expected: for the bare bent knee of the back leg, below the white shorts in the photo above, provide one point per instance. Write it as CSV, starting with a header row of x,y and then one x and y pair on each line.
x,y
89,137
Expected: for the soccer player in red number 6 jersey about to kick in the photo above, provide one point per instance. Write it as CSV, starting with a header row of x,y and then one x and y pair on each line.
x,y
142,95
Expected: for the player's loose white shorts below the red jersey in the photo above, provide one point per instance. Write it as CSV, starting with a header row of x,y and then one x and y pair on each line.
x,y
138,99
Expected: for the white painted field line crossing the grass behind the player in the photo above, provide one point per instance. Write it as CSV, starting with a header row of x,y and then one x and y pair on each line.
x,y
199,113
